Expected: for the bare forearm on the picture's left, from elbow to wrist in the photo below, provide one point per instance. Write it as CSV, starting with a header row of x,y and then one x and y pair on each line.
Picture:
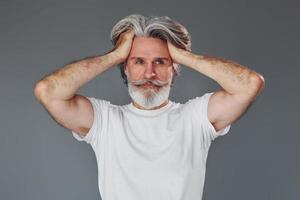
x,y
64,82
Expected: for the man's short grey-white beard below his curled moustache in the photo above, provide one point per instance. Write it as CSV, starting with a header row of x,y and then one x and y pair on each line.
x,y
148,97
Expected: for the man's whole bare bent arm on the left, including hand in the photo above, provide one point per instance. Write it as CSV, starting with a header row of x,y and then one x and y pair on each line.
x,y
56,92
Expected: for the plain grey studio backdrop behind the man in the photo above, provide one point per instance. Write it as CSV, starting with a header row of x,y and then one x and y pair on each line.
x,y
258,159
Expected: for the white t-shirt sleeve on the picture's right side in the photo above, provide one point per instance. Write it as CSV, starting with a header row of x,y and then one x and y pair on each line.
x,y
200,112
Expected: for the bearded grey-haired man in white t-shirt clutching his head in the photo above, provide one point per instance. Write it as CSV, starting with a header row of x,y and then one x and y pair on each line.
x,y
153,147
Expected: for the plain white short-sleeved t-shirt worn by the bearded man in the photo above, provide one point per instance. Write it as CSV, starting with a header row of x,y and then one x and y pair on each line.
x,y
151,154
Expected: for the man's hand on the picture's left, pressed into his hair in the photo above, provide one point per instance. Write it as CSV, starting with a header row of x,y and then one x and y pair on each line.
x,y
123,45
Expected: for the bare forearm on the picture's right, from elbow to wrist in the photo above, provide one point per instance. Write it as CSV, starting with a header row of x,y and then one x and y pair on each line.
x,y
233,77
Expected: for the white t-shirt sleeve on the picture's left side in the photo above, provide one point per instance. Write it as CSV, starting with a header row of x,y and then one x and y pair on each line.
x,y
100,108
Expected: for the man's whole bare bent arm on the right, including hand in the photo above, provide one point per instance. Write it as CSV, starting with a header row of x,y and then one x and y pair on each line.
x,y
240,85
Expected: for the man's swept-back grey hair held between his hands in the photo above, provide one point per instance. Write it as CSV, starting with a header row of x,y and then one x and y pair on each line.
x,y
163,28
